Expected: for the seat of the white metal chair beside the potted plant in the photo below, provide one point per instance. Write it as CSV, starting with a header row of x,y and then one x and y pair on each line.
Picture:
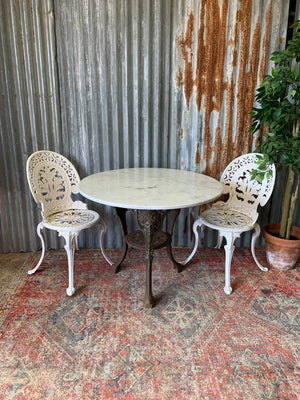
x,y
226,219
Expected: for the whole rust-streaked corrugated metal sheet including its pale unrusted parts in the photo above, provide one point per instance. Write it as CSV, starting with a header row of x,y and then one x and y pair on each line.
x,y
221,53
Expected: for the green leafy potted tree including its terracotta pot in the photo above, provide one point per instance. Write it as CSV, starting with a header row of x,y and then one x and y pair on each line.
x,y
277,116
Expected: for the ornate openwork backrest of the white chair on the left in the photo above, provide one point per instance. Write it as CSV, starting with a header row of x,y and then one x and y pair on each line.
x,y
52,179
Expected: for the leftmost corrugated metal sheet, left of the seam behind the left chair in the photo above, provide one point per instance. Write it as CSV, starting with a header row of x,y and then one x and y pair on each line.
x,y
30,111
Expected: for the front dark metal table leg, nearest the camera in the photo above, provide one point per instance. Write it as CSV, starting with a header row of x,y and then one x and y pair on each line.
x,y
148,221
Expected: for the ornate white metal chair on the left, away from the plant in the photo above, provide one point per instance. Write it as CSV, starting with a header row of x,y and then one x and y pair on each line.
x,y
52,180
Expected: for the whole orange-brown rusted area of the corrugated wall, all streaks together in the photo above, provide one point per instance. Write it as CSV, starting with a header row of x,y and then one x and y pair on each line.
x,y
217,90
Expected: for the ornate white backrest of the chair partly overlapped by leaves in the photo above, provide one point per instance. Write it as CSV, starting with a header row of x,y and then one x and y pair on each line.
x,y
246,194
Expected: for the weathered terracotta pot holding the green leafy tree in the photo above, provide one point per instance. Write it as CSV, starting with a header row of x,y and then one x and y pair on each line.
x,y
281,253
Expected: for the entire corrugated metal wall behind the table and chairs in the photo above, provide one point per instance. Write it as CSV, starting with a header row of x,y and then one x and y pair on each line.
x,y
128,83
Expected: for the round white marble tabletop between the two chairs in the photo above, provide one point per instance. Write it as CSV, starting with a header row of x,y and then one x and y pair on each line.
x,y
150,188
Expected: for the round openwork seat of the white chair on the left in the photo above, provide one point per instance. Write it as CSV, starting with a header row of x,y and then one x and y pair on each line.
x,y
71,220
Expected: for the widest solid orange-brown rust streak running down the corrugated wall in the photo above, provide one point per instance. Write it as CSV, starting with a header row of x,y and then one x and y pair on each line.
x,y
209,82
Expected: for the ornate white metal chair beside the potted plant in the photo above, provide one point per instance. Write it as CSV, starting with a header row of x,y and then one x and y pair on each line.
x,y
239,213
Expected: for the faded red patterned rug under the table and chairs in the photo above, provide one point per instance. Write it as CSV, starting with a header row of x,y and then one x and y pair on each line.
x,y
197,343
